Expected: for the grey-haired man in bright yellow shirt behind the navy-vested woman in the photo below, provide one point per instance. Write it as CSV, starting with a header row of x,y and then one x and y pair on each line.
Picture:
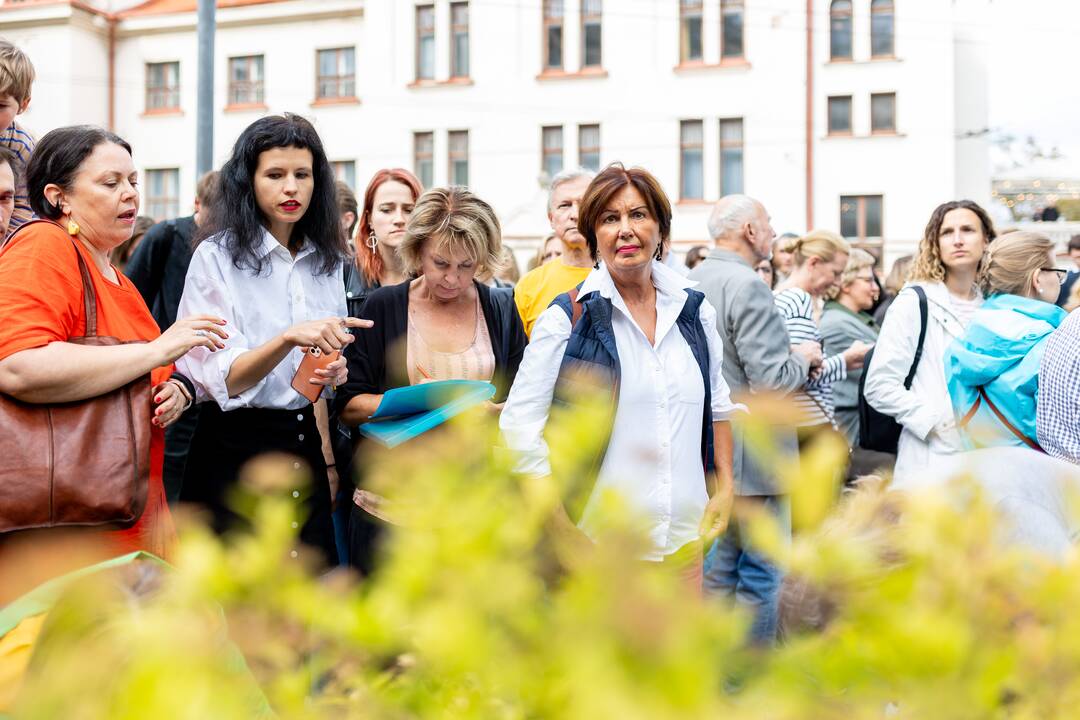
x,y
536,291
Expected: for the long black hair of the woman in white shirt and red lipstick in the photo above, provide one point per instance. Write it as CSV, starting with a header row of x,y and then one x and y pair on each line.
x,y
236,213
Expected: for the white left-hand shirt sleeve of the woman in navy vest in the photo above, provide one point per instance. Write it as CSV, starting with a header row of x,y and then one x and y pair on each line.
x,y
525,414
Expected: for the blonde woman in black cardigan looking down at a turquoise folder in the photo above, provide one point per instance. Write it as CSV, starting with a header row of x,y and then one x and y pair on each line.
x,y
443,325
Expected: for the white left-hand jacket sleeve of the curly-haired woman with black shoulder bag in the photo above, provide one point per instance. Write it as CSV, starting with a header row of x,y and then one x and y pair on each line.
x,y
894,354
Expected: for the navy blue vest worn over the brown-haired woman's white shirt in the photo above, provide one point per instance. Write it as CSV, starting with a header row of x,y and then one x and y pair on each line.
x,y
592,356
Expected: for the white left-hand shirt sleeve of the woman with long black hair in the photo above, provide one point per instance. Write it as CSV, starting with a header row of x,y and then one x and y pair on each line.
x,y
207,293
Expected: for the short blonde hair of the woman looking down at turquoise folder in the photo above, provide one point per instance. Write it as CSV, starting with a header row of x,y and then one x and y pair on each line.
x,y
457,219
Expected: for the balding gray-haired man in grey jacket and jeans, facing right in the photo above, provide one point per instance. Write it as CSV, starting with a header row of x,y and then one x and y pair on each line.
x,y
759,358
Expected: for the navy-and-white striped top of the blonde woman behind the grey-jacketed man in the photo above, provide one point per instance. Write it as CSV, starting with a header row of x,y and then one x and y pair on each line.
x,y
815,402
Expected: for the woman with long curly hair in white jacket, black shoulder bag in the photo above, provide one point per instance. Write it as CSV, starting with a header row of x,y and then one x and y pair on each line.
x,y
947,268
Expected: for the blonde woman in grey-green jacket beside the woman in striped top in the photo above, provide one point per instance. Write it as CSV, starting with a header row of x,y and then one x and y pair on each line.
x,y
845,321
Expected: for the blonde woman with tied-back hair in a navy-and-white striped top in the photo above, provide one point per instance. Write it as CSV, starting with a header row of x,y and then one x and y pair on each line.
x,y
819,261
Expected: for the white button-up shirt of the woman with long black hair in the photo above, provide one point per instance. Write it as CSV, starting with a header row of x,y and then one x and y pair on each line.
x,y
258,309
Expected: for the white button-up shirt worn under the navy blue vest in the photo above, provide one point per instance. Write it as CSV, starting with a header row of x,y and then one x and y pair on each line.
x,y
654,457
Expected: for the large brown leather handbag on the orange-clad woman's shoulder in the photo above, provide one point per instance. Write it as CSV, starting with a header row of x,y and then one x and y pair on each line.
x,y
85,464
